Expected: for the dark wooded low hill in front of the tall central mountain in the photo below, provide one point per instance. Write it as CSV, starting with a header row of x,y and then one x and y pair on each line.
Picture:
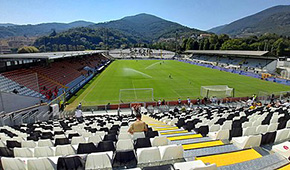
x,y
85,38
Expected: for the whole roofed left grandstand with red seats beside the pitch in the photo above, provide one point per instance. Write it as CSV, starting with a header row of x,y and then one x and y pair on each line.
x,y
46,76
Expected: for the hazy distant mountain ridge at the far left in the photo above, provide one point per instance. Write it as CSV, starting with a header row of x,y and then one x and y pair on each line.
x,y
39,29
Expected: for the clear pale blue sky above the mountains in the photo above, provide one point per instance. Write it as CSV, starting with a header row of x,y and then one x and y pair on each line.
x,y
200,14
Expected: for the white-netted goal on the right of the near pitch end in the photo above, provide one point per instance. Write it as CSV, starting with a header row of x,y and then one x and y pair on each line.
x,y
219,91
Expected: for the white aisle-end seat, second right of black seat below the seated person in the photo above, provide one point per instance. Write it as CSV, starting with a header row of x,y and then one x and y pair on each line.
x,y
170,152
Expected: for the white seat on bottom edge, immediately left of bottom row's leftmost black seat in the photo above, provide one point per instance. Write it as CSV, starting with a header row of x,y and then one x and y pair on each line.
x,y
40,163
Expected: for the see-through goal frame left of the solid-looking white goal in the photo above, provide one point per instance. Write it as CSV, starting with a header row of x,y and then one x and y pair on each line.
x,y
136,95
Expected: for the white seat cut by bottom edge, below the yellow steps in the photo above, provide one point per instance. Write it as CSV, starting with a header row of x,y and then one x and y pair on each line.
x,y
190,165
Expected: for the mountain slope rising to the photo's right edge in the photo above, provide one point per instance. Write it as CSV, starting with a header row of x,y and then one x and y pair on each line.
x,y
272,20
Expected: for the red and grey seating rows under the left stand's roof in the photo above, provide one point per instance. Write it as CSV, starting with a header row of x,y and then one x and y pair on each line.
x,y
40,80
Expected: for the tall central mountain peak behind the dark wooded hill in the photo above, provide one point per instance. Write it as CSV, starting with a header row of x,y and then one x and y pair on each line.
x,y
148,27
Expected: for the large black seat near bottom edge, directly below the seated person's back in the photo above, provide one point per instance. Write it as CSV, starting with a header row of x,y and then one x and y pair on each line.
x,y
125,159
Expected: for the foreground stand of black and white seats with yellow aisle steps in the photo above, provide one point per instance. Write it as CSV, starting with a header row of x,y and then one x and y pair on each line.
x,y
205,138
